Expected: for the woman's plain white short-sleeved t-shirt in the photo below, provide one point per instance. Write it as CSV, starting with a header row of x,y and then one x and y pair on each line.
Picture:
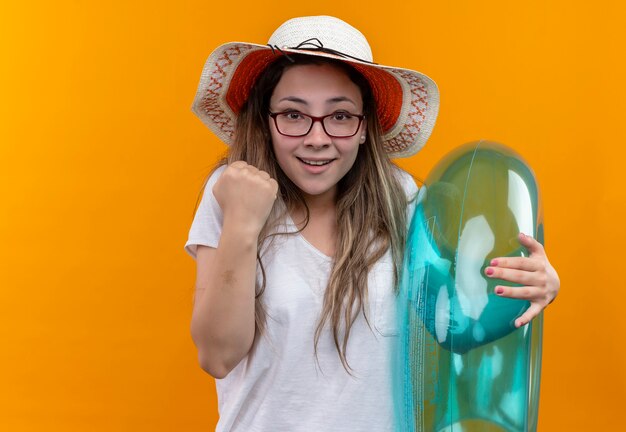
x,y
279,386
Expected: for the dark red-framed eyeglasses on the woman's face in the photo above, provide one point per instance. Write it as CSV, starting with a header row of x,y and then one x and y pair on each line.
x,y
340,124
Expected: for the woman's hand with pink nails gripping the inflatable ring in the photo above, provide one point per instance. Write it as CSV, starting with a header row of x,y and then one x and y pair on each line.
x,y
540,280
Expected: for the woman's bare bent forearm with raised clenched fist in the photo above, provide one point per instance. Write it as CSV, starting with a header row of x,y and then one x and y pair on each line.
x,y
222,323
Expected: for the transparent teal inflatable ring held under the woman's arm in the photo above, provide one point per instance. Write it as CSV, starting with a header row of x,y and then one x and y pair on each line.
x,y
461,364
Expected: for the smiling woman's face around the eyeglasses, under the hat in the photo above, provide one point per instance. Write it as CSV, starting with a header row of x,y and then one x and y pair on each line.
x,y
316,162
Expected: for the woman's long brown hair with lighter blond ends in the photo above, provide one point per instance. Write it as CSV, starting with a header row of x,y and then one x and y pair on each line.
x,y
371,204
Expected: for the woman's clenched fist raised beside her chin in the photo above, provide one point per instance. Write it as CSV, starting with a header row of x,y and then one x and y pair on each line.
x,y
246,196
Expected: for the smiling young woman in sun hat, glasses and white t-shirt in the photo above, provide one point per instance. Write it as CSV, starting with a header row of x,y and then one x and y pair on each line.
x,y
300,231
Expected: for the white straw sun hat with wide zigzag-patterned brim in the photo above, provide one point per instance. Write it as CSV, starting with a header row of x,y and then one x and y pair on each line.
x,y
407,101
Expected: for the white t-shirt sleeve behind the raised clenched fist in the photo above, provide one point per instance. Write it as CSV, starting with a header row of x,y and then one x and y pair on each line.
x,y
206,227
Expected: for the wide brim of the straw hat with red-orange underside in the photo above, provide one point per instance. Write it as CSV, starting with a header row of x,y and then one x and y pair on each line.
x,y
407,101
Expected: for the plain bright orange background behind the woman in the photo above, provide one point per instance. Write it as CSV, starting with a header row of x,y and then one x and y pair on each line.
x,y
101,162
